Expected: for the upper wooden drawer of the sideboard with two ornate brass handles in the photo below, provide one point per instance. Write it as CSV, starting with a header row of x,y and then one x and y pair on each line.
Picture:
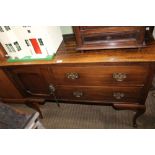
x,y
100,75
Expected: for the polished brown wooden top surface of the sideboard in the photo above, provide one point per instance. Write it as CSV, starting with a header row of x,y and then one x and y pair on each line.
x,y
67,54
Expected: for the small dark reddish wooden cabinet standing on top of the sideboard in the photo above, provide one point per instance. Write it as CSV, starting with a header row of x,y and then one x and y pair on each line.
x,y
90,38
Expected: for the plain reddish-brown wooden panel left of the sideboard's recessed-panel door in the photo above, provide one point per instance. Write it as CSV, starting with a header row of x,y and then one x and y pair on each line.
x,y
7,89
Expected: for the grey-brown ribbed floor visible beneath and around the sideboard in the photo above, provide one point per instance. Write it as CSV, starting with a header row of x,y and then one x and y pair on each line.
x,y
77,116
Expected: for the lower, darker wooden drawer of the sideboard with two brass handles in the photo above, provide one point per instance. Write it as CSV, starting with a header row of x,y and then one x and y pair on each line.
x,y
106,93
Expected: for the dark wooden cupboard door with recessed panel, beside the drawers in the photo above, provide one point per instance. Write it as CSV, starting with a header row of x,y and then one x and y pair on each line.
x,y
33,81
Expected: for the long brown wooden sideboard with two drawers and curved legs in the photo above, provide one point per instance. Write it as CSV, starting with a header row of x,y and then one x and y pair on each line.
x,y
119,77
